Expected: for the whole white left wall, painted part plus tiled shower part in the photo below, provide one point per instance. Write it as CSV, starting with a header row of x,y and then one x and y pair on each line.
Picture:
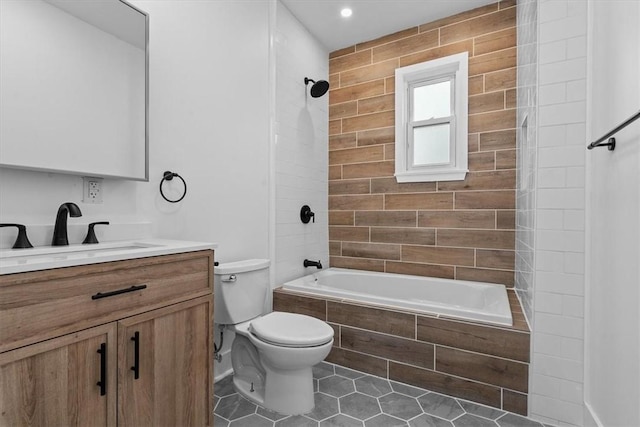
x,y
211,102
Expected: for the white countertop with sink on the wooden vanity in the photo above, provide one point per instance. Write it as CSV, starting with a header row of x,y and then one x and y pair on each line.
x,y
47,257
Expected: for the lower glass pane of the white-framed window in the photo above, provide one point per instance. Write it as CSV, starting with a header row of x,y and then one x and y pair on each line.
x,y
431,145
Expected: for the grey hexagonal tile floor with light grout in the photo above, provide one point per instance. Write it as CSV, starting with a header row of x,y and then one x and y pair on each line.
x,y
346,398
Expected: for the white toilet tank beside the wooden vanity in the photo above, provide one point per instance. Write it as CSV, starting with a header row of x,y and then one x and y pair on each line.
x,y
240,290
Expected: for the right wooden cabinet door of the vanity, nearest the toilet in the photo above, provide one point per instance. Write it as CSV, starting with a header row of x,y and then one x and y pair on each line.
x,y
164,362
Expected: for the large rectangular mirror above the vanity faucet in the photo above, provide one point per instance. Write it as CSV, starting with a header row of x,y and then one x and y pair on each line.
x,y
74,87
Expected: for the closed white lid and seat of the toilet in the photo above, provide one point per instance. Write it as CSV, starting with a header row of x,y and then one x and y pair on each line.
x,y
289,329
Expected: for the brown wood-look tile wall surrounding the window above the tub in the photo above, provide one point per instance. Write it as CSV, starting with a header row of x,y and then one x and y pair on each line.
x,y
459,230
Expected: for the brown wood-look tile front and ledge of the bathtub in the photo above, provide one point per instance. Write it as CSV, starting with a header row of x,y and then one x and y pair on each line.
x,y
483,363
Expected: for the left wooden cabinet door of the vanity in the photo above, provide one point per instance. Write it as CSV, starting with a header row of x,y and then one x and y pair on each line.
x,y
66,381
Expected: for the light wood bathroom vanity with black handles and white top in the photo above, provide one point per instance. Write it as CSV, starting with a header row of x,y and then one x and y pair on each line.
x,y
125,342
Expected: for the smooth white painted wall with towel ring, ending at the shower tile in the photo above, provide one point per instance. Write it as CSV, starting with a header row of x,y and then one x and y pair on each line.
x,y
208,122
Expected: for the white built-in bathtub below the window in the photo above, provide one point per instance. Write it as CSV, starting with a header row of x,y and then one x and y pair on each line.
x,y
477,301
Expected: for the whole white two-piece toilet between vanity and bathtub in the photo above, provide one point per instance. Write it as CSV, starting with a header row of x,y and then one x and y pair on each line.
x,y
272,354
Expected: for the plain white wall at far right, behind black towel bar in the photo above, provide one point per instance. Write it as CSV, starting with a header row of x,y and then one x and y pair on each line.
x,y
612,351
